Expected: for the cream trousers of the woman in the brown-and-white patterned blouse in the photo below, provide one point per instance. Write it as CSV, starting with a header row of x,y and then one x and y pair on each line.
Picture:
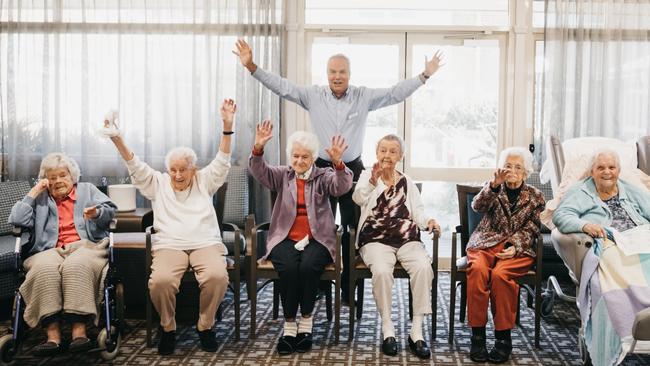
x,y
381,259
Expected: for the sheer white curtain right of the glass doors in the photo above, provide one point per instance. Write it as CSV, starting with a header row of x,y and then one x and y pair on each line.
x,y
596,69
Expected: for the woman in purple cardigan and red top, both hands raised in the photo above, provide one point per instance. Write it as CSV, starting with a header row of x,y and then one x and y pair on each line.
x,y
301,237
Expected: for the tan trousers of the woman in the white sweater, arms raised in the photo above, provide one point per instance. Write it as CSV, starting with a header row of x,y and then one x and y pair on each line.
x,y
167,269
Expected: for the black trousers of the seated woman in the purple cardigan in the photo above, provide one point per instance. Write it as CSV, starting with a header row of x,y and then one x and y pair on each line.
x,y
300,273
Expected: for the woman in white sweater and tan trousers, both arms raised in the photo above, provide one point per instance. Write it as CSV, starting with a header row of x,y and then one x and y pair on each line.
x,y
187,231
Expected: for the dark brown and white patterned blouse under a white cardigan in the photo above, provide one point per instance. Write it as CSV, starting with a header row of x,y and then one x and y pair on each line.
x,y
390,222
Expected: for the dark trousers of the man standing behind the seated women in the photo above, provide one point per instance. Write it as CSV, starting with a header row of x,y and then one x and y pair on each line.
x,y
346,208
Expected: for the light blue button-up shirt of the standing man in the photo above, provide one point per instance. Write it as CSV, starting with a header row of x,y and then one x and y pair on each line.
x,y
344,116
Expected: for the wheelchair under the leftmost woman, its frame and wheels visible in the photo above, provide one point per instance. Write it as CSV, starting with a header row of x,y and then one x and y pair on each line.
x,y
111,322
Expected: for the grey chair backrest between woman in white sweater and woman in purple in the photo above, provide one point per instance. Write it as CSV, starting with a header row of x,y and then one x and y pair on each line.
x,y
237,197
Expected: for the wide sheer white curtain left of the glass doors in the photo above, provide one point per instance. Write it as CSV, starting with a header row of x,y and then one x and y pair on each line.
x,y
165,64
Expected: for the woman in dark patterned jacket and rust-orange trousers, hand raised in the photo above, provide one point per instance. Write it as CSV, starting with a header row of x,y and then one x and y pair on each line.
x,y
500,250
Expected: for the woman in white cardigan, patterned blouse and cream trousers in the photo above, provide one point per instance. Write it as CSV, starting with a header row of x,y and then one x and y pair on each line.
x,y
392,216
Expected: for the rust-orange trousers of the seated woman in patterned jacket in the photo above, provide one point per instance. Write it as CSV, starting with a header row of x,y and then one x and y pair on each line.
x,y
494,279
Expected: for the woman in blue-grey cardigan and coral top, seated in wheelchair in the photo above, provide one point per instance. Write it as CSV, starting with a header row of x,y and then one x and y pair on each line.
x,y
69,224
